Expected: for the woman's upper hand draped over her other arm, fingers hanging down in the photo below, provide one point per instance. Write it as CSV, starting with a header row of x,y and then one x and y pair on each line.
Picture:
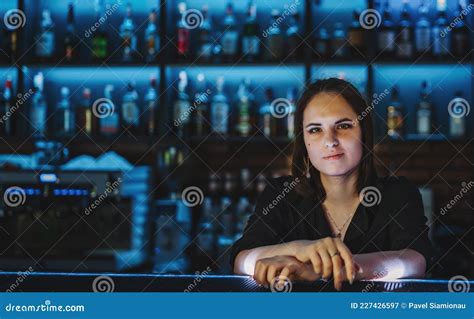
x,y
329,257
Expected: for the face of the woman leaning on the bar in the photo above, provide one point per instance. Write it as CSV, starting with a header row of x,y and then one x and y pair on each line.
x,y
330,128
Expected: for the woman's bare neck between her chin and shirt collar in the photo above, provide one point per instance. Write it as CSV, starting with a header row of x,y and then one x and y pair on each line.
x,y
340,189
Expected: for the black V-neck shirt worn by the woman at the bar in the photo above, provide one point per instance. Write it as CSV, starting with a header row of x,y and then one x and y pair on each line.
x,y
394,222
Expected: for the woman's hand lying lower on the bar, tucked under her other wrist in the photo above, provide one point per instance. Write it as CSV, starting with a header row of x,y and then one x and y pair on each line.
x,y
268,269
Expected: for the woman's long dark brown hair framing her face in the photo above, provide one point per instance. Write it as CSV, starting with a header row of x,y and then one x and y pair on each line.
x,y
301,166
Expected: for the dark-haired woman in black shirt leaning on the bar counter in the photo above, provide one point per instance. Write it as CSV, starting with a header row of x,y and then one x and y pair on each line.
x,y
334,218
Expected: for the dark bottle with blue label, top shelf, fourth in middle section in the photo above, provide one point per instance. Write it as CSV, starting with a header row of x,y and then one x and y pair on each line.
x,y
250,39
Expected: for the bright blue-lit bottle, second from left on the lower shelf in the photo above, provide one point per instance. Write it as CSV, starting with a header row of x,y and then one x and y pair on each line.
x,y
39,108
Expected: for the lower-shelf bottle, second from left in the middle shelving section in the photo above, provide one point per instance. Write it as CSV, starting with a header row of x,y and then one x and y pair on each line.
x,y
201,113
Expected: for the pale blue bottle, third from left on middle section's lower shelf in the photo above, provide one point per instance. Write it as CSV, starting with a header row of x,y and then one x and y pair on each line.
x,y
220,109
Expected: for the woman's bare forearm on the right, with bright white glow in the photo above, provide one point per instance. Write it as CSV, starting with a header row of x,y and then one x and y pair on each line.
x,y
386,265
